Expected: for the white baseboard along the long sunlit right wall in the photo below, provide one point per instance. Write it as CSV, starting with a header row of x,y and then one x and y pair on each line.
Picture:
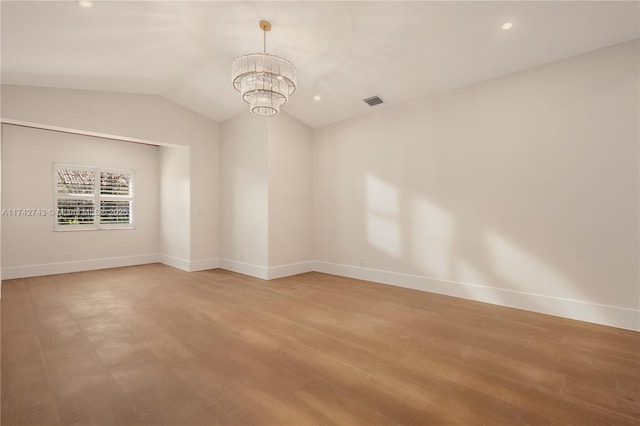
x,y
574,309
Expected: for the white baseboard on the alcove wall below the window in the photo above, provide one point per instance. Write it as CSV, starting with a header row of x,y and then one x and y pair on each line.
x,y
12,272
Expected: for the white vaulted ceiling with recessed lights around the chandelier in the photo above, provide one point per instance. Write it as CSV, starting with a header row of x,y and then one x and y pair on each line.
x,y
344,51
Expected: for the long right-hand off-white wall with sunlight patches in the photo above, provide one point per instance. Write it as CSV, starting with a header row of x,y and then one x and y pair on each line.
x,y
521,191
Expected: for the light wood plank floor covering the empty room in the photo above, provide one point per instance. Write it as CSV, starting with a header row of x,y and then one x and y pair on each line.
x,y
154,345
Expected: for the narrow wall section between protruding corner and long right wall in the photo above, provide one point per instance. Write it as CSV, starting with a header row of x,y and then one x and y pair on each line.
x,y
290,192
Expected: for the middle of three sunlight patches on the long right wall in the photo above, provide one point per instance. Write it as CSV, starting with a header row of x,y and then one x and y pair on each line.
x,y
432,230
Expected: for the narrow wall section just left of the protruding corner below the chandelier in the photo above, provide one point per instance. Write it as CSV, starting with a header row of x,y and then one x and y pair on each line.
x,y
244,195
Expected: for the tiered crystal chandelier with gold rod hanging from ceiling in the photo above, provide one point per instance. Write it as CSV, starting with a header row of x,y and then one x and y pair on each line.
x,y
265,81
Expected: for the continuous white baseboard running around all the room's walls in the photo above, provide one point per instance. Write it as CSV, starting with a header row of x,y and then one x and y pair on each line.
x,y
568,308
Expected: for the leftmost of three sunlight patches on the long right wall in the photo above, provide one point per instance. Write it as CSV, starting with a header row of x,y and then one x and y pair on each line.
x,y
383,230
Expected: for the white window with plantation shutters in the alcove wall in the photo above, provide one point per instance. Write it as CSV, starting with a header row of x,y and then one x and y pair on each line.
x,y
93,197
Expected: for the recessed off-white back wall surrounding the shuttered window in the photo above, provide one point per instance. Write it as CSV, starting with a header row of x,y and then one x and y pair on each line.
x,y
29,244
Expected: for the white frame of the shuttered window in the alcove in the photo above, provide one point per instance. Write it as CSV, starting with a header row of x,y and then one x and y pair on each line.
x,y
96,197
